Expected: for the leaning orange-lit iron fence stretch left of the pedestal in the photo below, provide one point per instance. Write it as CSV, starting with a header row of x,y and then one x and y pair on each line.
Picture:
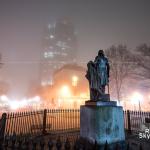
x,y
42,121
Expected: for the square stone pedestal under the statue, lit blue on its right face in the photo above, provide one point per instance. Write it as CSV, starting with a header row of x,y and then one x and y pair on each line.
x,y
102,121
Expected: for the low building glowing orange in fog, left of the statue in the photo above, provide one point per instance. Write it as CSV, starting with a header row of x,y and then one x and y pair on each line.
x,y
70,86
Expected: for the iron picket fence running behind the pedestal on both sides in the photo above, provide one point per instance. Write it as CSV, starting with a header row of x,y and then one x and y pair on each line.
x,y
61,121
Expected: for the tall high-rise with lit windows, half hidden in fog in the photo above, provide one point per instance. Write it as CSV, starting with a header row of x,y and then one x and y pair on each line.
x,y
59,48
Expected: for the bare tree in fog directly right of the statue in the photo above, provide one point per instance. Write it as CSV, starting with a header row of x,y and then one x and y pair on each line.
x,y
121,66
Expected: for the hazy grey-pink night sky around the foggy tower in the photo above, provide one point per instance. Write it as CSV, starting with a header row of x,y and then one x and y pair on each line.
x,y
98,24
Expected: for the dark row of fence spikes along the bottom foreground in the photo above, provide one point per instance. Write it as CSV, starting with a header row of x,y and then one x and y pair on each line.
x,y
60,143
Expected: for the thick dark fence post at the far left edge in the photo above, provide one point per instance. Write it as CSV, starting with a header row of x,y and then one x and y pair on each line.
x,y
2,126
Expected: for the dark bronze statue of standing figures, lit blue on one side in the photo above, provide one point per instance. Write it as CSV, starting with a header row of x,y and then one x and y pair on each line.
x,y
98,75
